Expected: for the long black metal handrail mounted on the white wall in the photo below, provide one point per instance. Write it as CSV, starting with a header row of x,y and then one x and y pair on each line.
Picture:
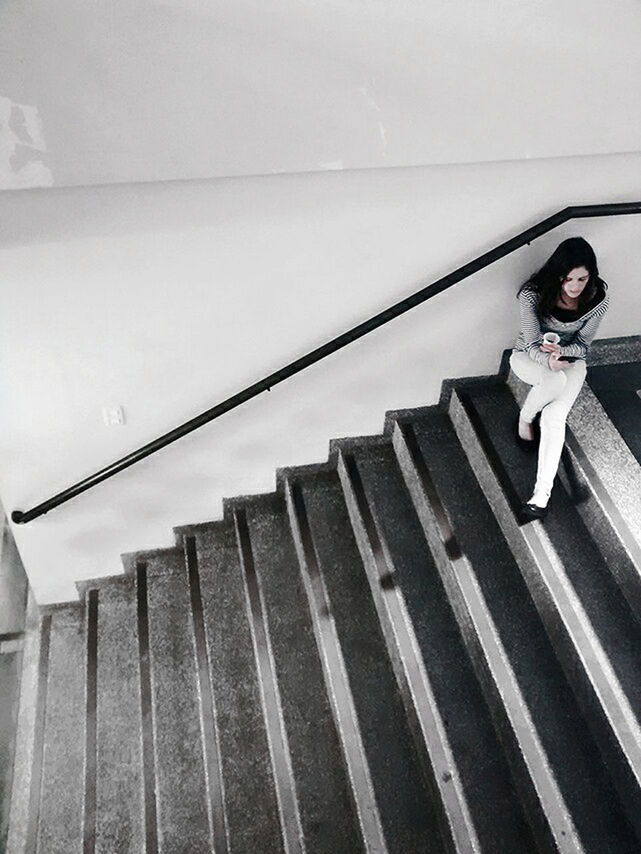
x,y
429,291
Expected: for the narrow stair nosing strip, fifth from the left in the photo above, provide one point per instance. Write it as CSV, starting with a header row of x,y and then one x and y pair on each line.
x,y
272,708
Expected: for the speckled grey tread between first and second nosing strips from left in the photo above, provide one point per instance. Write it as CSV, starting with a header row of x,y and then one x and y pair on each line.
x,y
63,780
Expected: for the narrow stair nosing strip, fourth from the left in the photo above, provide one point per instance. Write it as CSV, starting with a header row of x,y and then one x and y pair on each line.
x,y
208,713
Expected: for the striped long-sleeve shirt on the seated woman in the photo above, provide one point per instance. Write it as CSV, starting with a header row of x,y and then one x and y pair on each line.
x,y
576,335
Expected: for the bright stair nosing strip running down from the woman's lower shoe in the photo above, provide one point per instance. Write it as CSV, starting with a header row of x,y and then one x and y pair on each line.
x,y
578,629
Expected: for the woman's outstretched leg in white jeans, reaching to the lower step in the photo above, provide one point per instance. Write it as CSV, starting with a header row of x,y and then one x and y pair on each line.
x,y
553,420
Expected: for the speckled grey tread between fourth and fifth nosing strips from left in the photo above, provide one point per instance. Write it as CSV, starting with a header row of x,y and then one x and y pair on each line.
x,y
239,743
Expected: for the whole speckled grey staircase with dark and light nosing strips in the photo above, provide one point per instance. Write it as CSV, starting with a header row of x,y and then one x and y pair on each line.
x,y
377,657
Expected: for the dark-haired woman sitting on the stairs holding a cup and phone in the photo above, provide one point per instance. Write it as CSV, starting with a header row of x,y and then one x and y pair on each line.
x,y
566,297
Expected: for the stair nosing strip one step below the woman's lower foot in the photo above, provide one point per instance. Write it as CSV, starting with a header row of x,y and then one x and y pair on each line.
x,y
559,820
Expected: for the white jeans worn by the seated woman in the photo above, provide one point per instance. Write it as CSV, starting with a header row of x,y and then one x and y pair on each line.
x,y
552,394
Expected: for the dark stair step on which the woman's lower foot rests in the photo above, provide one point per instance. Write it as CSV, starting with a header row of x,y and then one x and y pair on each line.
x,y
592,628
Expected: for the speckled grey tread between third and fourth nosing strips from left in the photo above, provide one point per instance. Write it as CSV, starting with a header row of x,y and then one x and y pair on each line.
x,y
180,782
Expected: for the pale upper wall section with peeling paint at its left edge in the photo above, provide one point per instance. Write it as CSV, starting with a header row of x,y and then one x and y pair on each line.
x,y
131,91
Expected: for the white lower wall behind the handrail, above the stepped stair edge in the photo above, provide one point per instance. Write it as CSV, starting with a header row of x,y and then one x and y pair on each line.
x,y
167,298
